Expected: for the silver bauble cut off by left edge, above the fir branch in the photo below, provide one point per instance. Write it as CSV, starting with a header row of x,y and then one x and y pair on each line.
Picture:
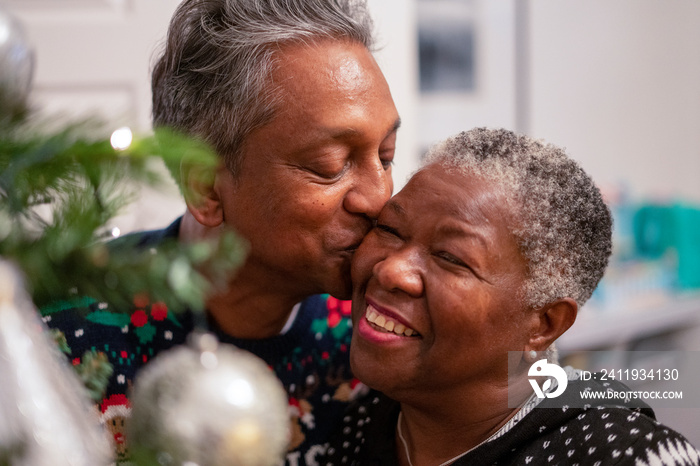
x,y
16,62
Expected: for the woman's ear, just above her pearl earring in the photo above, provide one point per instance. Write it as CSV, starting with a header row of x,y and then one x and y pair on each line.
x,y
553,320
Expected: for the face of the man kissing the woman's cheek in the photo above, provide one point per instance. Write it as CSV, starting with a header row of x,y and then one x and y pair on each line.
x,y
314,178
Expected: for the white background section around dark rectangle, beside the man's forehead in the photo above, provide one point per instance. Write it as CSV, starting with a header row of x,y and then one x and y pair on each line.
x,y
427,119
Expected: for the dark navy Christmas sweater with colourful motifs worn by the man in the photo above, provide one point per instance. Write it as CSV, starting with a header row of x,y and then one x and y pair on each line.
x,y
310,358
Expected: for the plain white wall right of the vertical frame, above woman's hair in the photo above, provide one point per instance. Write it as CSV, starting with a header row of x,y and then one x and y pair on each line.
x,y
618,84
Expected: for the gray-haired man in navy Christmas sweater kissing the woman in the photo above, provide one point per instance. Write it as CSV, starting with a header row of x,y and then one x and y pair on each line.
x,y
289,95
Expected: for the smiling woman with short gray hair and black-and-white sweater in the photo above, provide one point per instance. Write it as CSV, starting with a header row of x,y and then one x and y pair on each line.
x,y
471,274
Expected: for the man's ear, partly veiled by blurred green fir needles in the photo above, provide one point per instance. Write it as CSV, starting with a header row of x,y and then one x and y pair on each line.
x,y
201,193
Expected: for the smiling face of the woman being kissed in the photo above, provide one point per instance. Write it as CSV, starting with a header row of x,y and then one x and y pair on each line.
x,y
436,282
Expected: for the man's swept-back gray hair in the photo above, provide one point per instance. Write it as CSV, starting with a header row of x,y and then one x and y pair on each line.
x,y
213,79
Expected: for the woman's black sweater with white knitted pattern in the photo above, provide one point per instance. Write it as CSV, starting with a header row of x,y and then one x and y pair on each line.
x,y
561,432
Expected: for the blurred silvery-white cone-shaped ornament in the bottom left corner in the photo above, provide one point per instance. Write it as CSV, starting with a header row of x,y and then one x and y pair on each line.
x,y
46,418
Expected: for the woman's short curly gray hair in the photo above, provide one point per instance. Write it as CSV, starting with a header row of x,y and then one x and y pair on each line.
x,y
562,225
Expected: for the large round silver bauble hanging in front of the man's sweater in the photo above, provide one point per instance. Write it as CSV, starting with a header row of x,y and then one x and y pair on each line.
x,y
208,404
